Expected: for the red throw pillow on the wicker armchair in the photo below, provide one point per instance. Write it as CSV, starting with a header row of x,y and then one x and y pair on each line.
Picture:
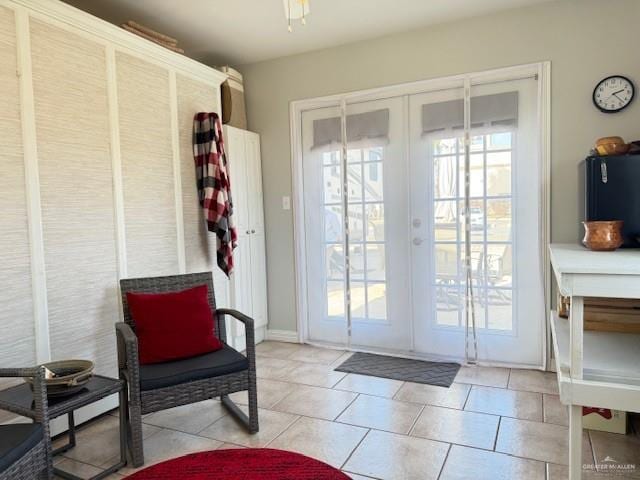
x,y
175,325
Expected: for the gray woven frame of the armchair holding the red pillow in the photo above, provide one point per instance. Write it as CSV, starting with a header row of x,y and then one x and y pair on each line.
x,y
148,401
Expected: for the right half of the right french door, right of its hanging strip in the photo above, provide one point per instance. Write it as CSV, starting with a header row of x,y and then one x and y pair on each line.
x,y
506,176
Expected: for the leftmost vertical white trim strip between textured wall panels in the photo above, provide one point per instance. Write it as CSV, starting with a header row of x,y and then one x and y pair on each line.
x,y
32,178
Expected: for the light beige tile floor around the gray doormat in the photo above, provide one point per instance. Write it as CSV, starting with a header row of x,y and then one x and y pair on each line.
x,y
492,423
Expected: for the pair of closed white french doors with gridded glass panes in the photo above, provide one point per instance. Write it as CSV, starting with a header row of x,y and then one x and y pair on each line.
x,y
387,219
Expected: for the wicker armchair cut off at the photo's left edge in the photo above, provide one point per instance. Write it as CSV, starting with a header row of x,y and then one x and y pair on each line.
x,y
25,448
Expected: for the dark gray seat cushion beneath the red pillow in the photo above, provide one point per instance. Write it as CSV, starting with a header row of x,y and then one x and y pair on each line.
x,y
214,364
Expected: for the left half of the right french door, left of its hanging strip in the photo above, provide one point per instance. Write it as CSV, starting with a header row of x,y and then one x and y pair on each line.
x,y
437,238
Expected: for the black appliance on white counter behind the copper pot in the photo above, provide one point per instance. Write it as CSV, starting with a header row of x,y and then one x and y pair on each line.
x,y
612,192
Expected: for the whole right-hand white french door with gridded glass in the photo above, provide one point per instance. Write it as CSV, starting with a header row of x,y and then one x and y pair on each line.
x,y
504,221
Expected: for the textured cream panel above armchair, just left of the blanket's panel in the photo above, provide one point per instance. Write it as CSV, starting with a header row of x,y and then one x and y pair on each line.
x,y
147,167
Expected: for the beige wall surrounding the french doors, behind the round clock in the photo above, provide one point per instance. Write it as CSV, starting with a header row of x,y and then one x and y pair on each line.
x,y
585,40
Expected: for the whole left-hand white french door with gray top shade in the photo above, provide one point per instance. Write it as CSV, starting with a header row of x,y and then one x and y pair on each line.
x,y
352,200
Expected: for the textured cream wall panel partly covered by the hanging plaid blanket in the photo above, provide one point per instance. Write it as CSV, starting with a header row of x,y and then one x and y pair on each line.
x,y
200,247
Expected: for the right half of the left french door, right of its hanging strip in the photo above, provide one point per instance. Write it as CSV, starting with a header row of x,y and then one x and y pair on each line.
x,y
377,211
